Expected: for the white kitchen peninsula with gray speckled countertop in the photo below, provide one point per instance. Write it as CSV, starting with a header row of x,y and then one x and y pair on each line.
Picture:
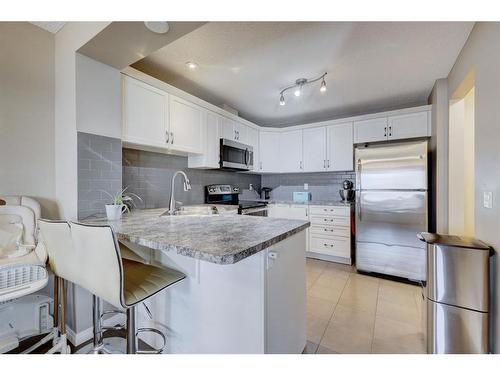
x,y
245,286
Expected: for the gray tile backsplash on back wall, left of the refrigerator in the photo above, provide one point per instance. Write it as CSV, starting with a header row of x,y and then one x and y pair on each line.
x,y
322,185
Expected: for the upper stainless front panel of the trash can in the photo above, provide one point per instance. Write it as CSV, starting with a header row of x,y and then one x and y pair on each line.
x,y
458,276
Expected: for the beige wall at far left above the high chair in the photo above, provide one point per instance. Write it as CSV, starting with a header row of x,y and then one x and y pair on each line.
x,y
27,113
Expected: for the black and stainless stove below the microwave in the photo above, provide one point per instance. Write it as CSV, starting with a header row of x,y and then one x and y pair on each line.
x,y
228,195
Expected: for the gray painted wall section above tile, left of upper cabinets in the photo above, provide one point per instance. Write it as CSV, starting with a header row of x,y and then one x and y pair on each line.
x,y
98,97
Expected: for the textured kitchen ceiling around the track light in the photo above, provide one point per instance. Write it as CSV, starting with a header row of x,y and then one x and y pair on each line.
x,y
371,65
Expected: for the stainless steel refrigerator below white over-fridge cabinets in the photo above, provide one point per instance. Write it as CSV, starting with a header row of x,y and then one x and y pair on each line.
x,y
391,208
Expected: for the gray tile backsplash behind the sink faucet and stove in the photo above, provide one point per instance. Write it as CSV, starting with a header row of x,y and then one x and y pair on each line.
x,y
149,174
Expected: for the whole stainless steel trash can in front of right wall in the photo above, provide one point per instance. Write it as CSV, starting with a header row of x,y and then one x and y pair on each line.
x,y
457,294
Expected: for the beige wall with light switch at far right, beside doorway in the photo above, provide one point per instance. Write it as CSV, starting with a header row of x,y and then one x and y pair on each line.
x,y
481,54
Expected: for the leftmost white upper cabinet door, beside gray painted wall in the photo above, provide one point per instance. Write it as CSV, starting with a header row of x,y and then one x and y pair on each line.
x,y
145,114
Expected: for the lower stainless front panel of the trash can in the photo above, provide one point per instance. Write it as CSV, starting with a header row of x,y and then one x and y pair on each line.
x,y
453,330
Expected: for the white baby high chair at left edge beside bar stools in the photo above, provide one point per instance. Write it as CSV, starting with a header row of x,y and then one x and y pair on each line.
x,y
22,273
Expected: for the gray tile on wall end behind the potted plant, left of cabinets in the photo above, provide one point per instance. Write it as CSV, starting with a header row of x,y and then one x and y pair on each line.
x,y
99,170
